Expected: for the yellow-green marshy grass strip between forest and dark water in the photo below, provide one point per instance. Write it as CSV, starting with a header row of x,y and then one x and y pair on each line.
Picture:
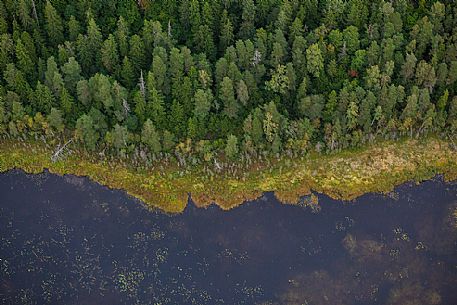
x,y
345,175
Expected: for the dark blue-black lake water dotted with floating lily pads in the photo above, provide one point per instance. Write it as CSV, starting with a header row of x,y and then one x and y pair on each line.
x,y
66,240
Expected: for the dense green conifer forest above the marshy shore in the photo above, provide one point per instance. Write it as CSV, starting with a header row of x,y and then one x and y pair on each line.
x,y
241,78
